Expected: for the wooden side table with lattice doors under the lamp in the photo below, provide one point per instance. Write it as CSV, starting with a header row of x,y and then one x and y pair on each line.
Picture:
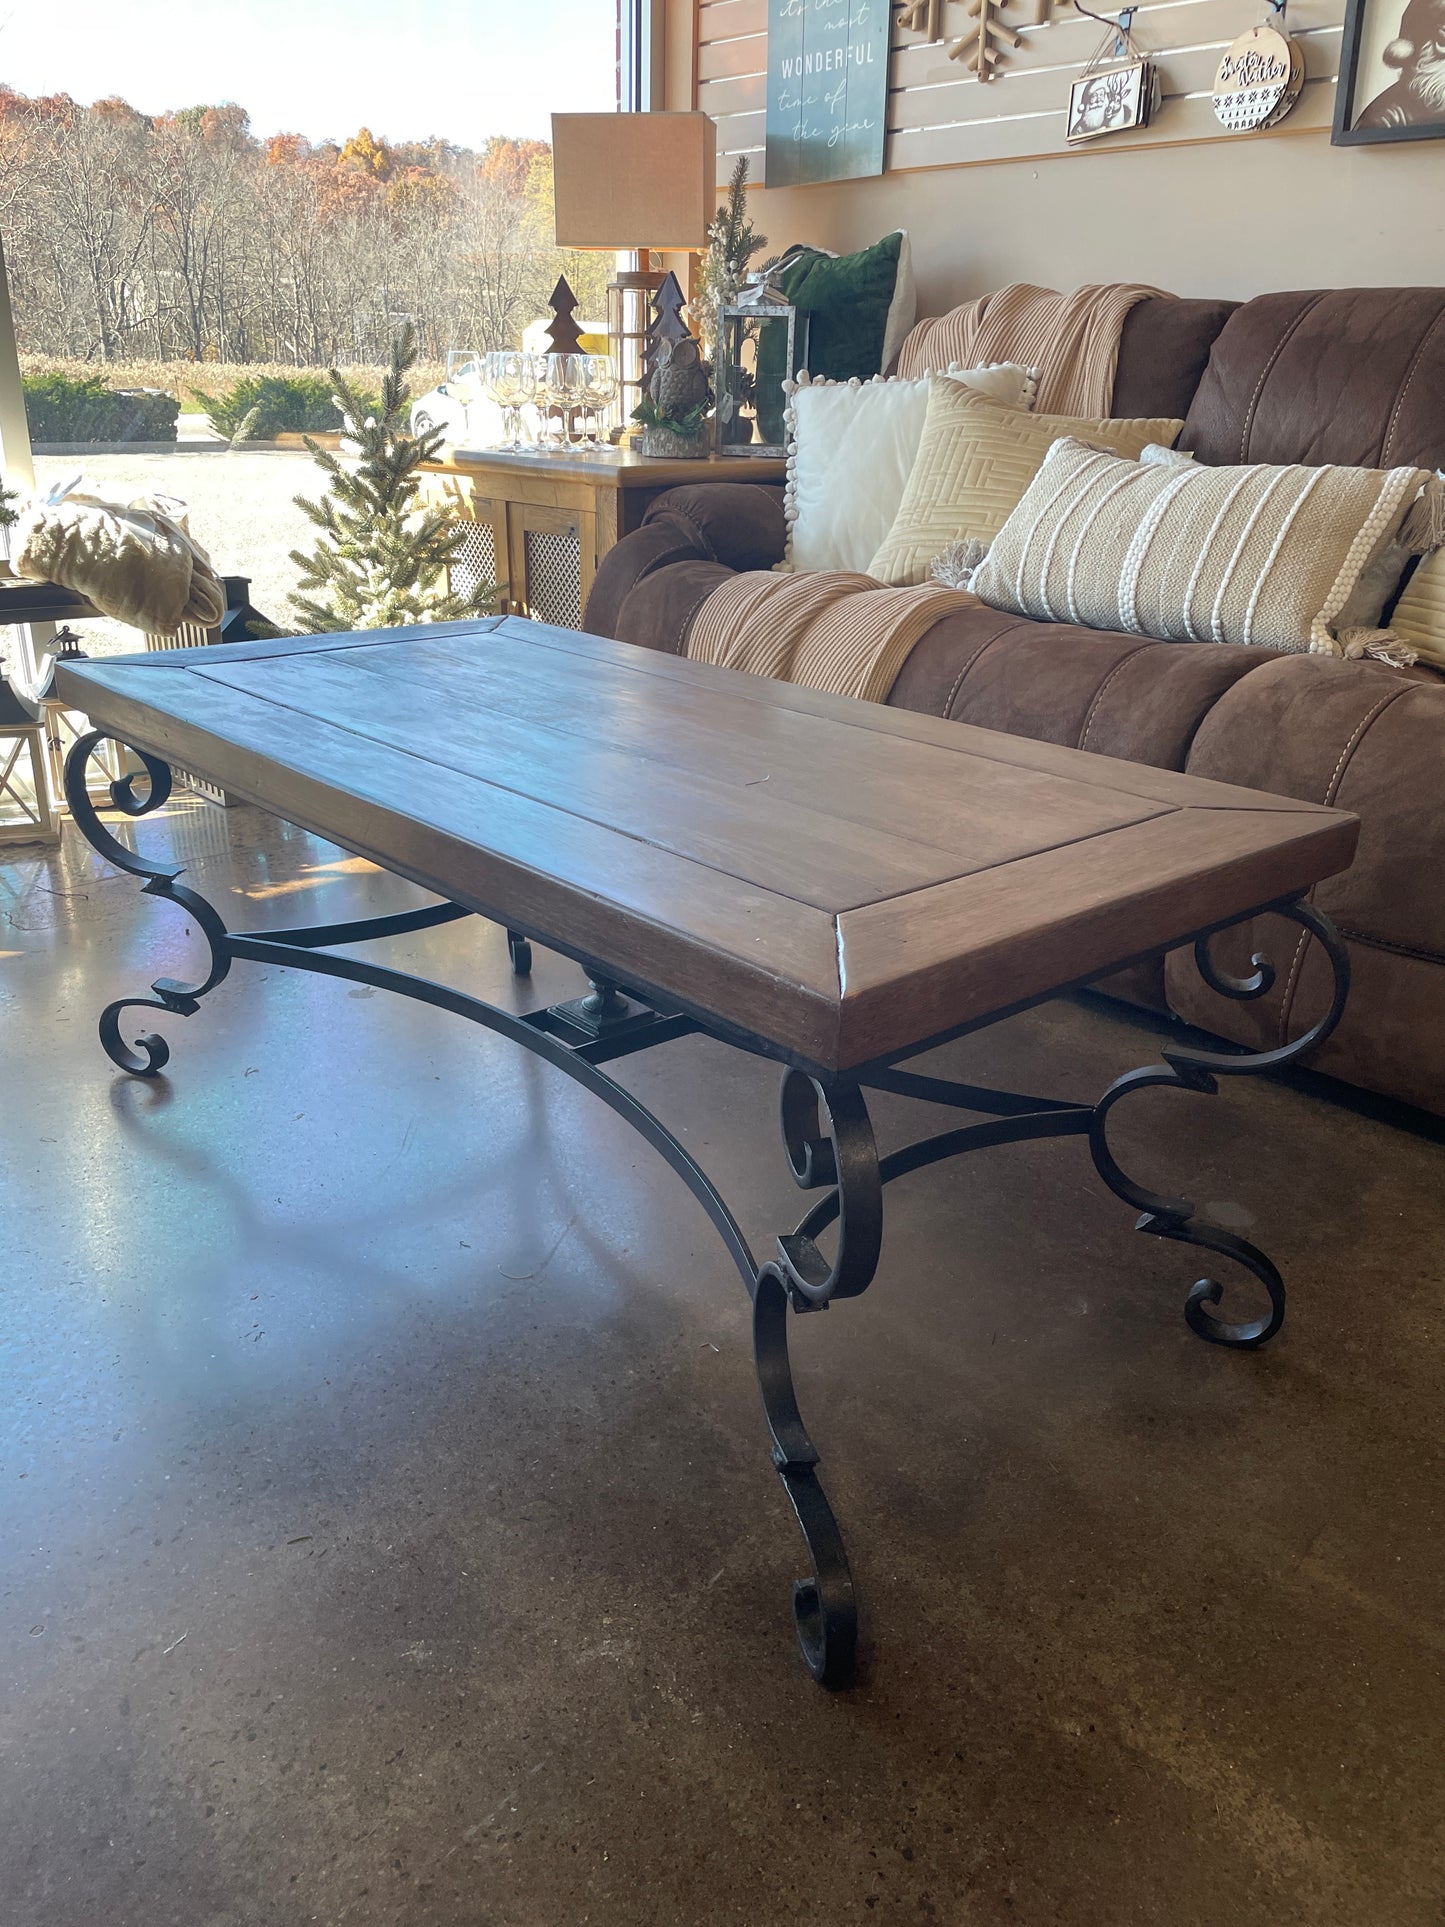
x,y
542,523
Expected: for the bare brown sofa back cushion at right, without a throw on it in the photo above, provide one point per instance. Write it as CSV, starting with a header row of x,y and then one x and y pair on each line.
x,y
1353,377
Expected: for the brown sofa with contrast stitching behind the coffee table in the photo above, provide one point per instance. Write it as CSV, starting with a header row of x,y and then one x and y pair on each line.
x,y
1342,377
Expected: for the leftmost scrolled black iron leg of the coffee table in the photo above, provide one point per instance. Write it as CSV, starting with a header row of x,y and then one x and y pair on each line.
x,y
180,999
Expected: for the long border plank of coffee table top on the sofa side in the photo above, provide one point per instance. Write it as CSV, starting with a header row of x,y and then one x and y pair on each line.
x,y
1024,752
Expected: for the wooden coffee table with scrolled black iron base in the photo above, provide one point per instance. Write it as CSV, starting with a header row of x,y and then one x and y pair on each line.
x,y
820,882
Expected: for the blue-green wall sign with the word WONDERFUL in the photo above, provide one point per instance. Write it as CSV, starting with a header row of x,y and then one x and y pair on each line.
x,y
828,90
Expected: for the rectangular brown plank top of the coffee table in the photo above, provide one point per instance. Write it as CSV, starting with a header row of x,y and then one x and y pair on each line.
x,y
833,878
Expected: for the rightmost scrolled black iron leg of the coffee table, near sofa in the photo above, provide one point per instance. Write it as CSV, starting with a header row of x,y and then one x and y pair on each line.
x,y
1199,1070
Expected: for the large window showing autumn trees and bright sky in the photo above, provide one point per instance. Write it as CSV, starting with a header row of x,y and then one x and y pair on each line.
x,y
186,215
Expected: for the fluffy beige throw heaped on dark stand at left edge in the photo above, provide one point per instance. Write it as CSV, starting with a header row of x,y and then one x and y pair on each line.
x,y
136,564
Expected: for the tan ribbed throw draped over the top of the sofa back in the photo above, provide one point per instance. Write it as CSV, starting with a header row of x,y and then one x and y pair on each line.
x,y
1074,340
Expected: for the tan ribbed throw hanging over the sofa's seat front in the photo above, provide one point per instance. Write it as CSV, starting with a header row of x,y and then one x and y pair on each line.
x,y
824,629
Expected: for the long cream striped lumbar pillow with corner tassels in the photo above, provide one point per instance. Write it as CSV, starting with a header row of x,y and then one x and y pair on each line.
x,y
1192,554
